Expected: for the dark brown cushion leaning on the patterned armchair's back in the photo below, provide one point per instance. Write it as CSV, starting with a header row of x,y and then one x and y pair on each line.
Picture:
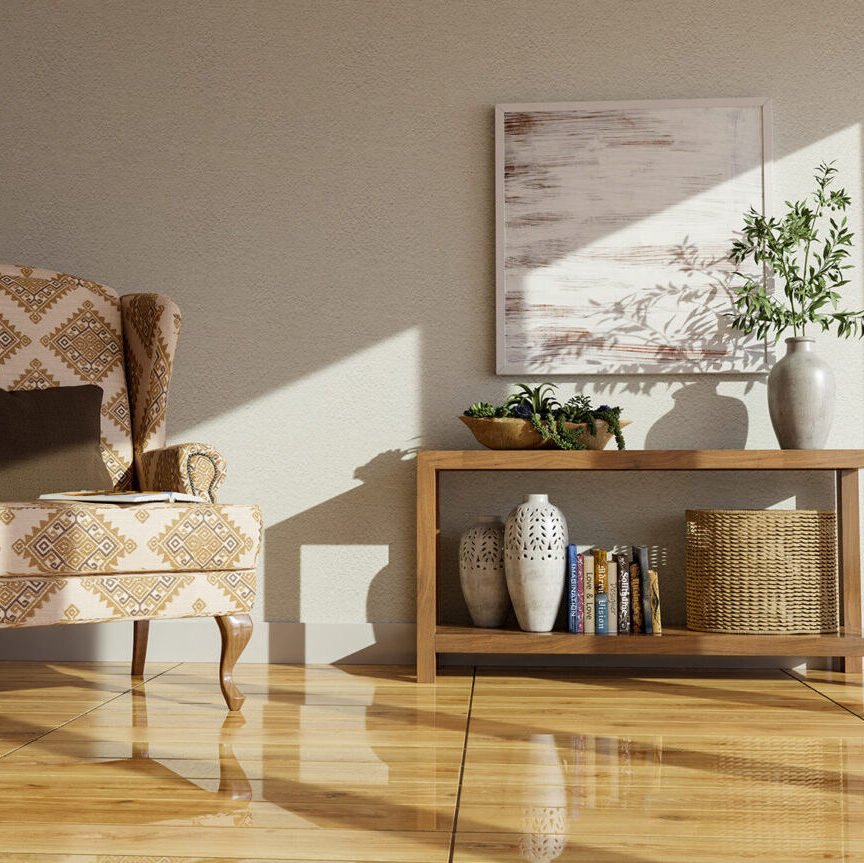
x,y
49,442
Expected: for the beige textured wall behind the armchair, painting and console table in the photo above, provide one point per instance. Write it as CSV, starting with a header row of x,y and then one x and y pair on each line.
x,y
313,182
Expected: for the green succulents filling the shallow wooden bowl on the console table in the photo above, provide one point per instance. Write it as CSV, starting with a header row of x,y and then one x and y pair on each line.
x,y
550,418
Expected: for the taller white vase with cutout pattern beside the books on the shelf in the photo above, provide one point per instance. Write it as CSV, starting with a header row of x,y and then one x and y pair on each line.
x,y
535,547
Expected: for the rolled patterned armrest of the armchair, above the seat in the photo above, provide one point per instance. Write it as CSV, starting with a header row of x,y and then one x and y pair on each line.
x,y
193,468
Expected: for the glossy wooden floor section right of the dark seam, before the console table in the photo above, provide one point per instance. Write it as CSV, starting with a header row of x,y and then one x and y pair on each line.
x,y
634,768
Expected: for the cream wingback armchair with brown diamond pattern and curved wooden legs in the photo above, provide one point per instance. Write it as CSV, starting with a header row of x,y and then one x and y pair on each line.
x,y
73,562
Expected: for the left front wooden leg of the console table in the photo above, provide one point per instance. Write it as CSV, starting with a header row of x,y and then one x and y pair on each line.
x,y
427,569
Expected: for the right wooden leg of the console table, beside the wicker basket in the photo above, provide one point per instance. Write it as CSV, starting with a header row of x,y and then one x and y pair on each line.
x,y
849,547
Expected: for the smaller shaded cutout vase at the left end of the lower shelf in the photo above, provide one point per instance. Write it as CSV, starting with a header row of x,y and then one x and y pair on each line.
x,y
481,572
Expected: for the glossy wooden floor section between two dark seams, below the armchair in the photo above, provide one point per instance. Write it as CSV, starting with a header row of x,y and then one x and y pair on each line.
x,y
320,761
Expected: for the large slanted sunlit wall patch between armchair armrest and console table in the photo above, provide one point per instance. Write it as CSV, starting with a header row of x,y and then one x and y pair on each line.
x,y
306,442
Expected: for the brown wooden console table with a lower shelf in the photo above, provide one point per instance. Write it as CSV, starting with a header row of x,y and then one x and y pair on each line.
x,y
434,638
